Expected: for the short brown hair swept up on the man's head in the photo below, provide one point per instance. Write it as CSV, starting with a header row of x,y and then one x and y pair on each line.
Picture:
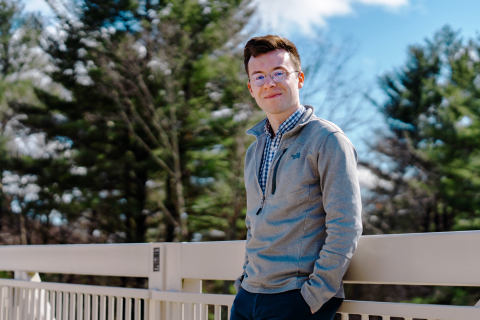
x,y
265,44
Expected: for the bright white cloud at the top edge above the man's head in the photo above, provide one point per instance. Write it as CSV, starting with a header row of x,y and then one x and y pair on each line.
x,y
280,14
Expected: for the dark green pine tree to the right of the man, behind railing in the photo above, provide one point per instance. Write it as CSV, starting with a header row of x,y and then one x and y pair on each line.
x,y
432,157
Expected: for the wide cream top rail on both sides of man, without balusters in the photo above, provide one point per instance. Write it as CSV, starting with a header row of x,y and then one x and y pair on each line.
x,y
445,258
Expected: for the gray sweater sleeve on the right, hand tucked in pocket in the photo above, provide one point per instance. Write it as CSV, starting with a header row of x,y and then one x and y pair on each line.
x,y
337,166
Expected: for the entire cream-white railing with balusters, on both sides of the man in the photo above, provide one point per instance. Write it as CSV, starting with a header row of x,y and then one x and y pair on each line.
x,y
175,272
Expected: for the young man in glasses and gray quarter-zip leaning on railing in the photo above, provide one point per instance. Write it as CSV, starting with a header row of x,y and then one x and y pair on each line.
x,y
303,198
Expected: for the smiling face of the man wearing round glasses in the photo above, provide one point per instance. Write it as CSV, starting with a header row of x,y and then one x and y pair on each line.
x,y
272,97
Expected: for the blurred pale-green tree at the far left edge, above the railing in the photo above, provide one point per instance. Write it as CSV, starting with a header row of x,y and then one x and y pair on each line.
x,y
18,56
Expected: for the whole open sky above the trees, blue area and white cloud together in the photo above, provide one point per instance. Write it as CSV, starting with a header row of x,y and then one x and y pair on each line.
x,y
382,29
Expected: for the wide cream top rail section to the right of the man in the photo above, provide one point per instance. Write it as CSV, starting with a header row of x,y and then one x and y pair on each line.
x,y
443,258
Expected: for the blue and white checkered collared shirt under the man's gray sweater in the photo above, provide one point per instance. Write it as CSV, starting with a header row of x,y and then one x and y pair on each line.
x,y
272,144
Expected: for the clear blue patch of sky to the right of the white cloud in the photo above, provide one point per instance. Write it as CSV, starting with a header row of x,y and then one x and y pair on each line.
x,y
384,35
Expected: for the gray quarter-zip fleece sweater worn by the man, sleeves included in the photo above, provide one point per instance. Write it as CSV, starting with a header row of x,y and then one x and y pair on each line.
x,y
302,233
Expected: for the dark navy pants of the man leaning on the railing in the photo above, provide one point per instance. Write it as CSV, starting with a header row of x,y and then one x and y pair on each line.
x,y
288,305
